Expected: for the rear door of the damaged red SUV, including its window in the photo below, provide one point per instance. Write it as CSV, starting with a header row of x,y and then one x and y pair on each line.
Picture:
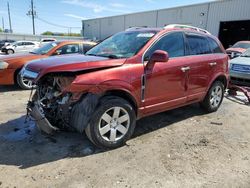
x,y
202,62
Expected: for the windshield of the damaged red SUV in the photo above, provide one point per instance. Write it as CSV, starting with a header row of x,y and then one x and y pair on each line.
x,y
122,45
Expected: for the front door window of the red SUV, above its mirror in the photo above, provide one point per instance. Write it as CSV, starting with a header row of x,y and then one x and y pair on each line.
x,y
172,43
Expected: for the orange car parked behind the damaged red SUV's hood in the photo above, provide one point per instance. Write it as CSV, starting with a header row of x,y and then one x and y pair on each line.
x,y
11,65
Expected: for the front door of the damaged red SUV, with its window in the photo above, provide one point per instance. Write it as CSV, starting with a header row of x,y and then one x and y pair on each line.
x,y
166,83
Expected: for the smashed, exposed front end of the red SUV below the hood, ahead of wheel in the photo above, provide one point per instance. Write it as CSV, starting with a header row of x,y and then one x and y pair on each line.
x,y
53,108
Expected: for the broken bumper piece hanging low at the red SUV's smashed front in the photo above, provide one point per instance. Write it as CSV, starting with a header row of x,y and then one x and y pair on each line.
x,y
34,110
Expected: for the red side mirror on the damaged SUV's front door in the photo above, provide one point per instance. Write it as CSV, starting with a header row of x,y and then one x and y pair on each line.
x,y
159,56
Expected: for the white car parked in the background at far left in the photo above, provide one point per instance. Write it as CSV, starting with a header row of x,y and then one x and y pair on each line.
x,y
20,47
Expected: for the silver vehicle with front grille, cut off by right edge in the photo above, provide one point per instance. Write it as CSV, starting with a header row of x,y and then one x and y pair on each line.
x,y
240,69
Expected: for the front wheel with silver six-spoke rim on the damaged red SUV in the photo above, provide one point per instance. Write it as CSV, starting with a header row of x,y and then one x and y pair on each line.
x,y
112,123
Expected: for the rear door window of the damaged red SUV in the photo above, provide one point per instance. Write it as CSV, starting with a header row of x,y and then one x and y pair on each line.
x,y
198,45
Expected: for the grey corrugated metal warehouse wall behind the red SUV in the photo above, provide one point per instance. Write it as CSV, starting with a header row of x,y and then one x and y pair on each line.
x,y
206,15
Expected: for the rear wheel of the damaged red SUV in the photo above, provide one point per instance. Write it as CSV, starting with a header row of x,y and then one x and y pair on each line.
x,y
214,97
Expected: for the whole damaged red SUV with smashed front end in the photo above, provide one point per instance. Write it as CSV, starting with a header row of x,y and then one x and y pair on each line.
x,y
132,74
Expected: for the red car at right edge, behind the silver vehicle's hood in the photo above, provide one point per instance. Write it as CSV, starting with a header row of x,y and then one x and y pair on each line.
x,y
237,49
